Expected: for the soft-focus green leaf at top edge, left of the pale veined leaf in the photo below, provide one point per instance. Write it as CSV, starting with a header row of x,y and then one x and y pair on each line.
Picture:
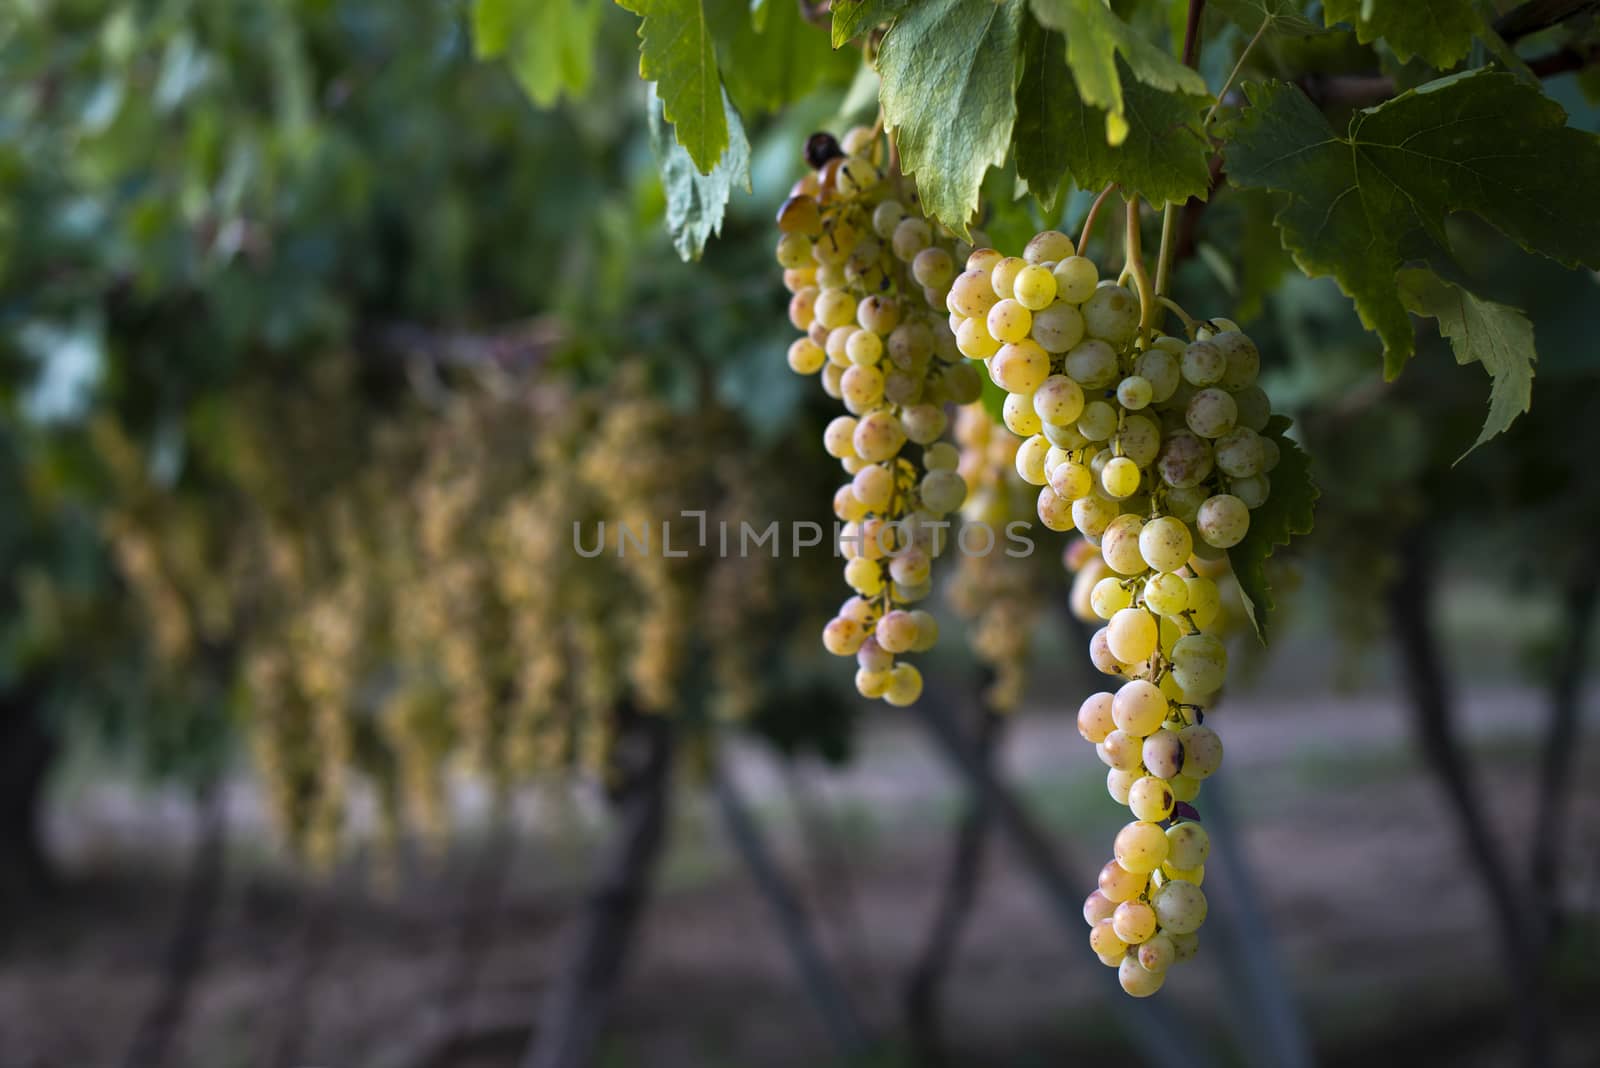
x,y
770,68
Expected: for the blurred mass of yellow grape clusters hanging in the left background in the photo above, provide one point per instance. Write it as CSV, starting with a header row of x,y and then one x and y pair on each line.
x,y
407,605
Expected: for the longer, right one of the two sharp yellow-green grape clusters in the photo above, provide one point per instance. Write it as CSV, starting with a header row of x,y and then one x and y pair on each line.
x,y
1153,448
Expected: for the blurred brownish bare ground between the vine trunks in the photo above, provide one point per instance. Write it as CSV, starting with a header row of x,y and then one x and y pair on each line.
x,y
1377,923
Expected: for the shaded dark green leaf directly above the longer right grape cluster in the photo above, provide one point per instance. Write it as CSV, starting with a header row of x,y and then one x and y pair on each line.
x,y
1164,157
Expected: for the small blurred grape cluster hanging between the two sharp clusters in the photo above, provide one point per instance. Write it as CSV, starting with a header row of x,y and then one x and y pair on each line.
x,y
999,596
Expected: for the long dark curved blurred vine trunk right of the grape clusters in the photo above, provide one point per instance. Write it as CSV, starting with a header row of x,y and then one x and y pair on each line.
x,y
1433,704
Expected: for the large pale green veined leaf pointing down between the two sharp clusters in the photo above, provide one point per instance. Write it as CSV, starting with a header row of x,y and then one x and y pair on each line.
x,y
948,70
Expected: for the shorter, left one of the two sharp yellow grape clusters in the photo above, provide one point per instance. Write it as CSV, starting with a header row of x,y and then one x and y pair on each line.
x,y
870,277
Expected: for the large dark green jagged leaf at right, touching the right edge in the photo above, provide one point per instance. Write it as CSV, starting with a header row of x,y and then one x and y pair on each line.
x,y
1362,205
